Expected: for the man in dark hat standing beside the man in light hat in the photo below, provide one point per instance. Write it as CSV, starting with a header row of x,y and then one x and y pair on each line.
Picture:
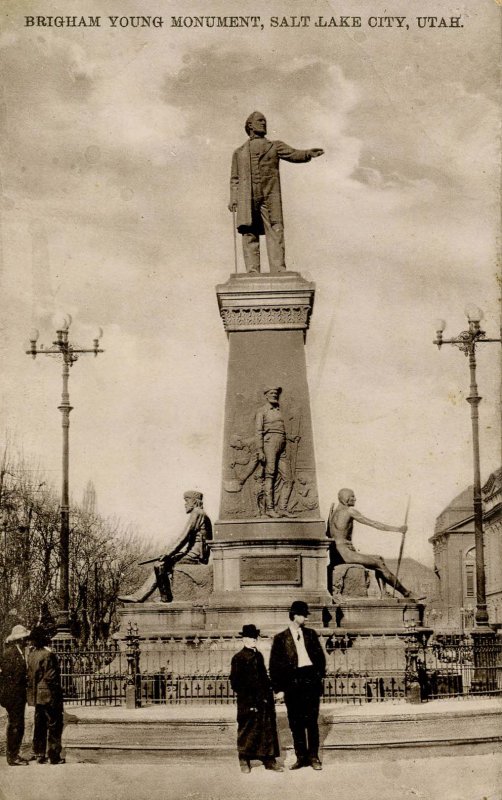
x,y
46,694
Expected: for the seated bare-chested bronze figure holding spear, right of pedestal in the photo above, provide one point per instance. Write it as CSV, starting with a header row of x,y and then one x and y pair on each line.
x,y
340,529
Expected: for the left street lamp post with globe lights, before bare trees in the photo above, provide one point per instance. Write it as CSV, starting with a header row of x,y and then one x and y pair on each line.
x,y
68,353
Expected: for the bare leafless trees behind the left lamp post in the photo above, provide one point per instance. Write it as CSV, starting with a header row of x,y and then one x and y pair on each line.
x,y
104,553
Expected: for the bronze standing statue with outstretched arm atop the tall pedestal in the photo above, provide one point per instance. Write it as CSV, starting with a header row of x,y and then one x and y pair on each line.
x,y
255,193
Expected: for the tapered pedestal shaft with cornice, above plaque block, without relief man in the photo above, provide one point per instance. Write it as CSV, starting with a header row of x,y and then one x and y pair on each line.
x,y
266,318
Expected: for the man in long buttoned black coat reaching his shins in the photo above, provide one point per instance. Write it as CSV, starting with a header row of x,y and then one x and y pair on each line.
x,y
256,724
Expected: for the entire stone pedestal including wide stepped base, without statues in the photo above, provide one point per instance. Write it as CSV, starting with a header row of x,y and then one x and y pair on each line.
x,y
261,563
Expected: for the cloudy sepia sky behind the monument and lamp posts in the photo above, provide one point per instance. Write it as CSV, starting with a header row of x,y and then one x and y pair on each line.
x,y
116,151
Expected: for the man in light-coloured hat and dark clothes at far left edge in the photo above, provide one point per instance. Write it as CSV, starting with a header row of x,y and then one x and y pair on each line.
x,y
13,692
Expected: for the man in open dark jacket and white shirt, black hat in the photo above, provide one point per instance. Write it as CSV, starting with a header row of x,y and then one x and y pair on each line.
x,y
297,668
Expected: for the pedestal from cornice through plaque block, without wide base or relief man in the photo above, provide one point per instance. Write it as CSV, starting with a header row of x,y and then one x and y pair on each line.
x,y
261,563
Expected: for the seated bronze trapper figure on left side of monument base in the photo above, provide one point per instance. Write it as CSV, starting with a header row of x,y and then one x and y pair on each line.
x,y
190,548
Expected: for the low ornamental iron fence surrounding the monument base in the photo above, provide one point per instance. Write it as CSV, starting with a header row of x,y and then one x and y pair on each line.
x,y
187,670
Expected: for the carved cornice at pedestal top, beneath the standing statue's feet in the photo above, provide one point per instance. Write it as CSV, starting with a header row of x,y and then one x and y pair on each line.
x,y
266,302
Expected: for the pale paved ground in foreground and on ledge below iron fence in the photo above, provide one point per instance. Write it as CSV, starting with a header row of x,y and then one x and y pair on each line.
x,y
424,774
